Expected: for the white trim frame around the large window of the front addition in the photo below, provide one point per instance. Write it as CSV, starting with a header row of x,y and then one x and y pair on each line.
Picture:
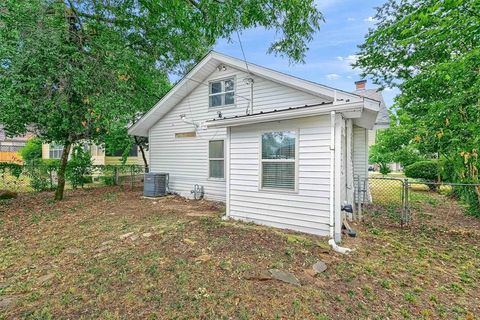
x,y
261,161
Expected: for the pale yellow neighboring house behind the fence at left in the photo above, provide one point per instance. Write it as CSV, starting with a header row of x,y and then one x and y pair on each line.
x,y
99,156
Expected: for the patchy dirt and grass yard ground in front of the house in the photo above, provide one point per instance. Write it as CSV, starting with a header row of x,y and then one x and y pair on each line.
x,y
109,254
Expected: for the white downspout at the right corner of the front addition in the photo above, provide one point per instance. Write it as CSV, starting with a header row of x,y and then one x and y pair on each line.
x,y
332,242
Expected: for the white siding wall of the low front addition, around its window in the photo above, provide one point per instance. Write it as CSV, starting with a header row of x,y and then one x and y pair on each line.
x,y
305,210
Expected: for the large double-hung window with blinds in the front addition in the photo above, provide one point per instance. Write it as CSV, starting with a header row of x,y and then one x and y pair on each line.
x,y
278,162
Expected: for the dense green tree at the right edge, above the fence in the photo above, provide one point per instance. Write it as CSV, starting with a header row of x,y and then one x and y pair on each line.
x,y
430,49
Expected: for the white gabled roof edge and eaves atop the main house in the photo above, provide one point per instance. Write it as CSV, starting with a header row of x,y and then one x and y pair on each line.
x,y
208,64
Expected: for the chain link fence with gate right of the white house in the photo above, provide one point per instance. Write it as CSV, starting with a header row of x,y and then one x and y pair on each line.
x,y
399,199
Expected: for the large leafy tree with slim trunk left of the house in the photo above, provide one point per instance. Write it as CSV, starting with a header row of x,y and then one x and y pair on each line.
x,y
81,69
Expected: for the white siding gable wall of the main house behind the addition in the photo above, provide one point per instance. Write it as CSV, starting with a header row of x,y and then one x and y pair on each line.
x,y
186,159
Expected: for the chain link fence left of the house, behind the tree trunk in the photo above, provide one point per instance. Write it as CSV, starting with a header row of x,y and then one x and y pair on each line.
x,y
43,175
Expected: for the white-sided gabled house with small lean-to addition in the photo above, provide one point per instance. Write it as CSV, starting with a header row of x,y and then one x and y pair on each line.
x,y
278,150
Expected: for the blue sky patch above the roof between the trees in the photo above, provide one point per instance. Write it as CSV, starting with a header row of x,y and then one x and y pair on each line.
x,y
331,51
